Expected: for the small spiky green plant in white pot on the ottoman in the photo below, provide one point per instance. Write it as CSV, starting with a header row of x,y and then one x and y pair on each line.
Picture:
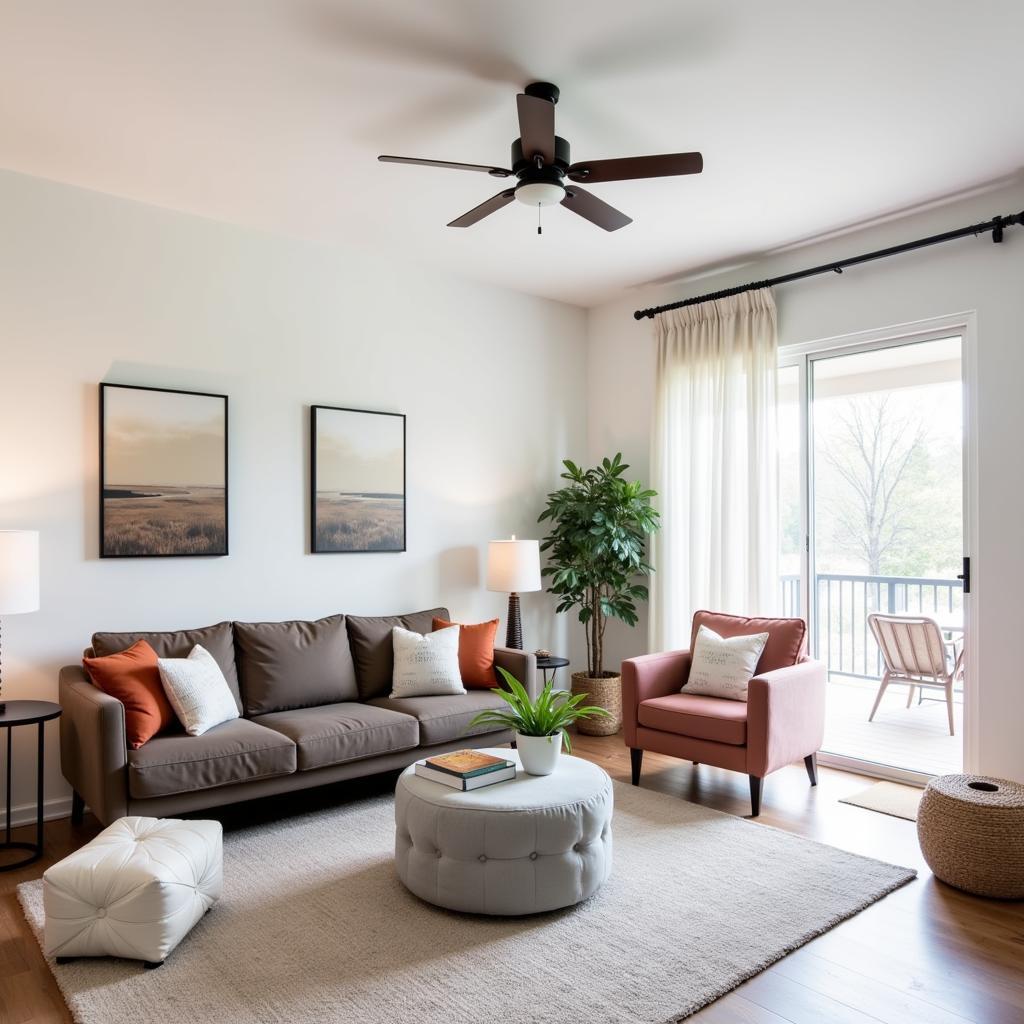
x,y
540,726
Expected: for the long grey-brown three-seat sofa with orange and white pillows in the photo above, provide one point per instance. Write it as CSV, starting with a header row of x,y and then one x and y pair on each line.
x,y
315,709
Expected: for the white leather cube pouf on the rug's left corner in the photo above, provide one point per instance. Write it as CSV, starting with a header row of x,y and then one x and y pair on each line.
x,y
136,891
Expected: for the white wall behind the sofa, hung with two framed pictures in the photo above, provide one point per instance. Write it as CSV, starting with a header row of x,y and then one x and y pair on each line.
x,y
99,289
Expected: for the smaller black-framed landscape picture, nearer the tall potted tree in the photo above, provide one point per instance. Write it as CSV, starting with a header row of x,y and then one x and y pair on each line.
x,y
359,481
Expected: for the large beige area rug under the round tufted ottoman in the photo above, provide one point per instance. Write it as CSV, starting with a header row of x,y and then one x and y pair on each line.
x,y
315,927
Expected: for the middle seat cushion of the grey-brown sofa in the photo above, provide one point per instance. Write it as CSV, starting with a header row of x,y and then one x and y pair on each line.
x,y
340,733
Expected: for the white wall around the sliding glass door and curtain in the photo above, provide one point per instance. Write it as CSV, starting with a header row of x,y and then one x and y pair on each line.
x,y
968,275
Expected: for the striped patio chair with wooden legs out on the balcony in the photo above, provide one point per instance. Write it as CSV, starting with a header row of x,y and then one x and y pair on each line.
x,y
915,653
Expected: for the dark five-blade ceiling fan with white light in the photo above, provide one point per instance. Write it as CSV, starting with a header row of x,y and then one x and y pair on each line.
x,y
541,162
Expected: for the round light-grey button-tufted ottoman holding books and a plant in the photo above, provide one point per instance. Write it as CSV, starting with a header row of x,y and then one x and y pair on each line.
x,y
535,843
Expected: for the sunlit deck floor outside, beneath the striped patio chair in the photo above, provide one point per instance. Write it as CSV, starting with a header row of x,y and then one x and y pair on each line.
x,y
916,739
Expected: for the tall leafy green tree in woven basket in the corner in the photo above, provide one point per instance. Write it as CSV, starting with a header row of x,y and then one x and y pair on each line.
x,y
596,552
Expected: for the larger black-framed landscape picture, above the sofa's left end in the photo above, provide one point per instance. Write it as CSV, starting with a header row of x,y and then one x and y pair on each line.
x,y
163,473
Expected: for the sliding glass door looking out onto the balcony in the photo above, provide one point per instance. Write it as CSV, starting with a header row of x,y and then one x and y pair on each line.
x,y
872,523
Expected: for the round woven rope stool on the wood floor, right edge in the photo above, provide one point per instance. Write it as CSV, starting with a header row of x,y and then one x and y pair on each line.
x,y
971,830
